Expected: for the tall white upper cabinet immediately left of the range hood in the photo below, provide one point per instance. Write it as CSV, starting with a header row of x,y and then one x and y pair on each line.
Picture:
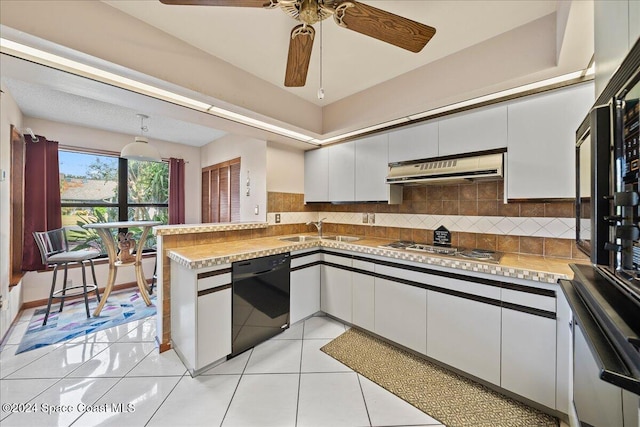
x,y
371,168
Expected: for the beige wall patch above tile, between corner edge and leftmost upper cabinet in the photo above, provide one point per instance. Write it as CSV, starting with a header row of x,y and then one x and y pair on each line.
x,y
285,169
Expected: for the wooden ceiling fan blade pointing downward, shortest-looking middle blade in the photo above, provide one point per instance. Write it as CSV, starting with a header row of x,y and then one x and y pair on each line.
x,y
299,56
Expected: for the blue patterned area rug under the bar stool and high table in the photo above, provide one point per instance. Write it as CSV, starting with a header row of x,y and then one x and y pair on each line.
x,y
121,307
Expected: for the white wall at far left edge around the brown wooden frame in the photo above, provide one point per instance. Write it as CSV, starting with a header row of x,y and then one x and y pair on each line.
x,y
9,115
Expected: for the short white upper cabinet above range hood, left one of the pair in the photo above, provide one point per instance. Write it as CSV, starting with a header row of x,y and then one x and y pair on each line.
x,y
414,142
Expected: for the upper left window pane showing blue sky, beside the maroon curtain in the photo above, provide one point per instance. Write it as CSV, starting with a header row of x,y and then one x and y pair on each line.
x,y
88,178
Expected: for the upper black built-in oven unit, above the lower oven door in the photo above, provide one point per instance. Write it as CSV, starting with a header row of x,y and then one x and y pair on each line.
x,y
607,180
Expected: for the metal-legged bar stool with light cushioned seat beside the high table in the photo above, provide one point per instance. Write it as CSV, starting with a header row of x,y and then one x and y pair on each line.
x,y
54,250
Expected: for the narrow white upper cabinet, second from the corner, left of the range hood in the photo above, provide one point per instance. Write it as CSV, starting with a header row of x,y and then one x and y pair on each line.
x,y
342,172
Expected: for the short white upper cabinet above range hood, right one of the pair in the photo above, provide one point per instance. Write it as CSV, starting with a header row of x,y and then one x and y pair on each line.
x,y
477,130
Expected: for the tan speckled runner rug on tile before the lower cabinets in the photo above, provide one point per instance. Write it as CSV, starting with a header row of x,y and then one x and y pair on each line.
x,y
450,398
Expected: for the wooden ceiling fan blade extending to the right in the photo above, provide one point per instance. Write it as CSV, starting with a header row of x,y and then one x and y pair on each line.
x,y
382,25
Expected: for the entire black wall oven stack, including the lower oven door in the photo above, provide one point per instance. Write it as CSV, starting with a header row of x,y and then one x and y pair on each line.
x,y
605,297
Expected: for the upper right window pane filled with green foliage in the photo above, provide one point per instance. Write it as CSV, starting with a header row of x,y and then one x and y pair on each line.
x,y
148,182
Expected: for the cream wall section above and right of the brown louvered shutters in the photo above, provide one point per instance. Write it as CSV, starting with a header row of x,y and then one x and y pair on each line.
x,y
253,160
